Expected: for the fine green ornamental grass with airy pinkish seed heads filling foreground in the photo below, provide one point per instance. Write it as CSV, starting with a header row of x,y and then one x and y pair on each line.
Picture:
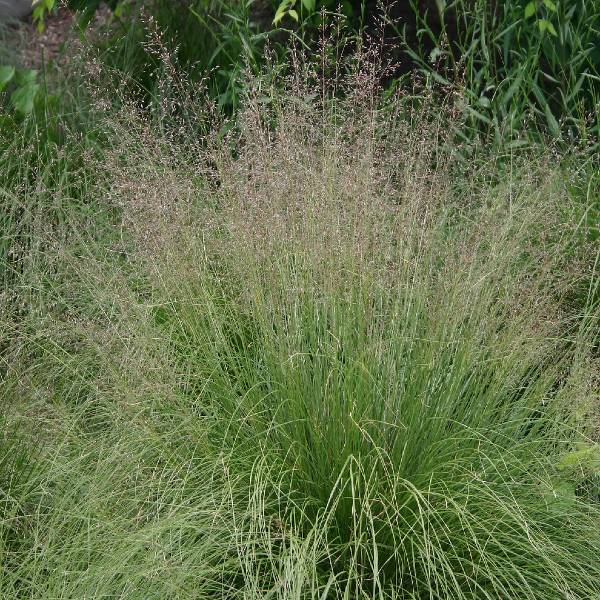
x,y
319,361
